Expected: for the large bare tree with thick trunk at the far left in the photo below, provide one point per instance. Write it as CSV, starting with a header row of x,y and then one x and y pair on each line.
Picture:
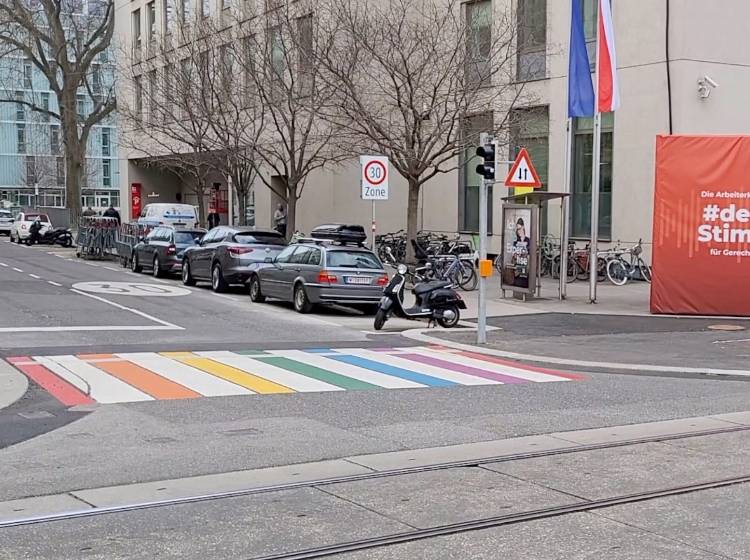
x,y
65,41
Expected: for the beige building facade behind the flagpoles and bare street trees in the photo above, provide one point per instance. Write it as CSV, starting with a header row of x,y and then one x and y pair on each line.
x,y
670,54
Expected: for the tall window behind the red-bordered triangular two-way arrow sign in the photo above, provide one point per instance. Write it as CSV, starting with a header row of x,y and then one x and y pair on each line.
x,y
529,128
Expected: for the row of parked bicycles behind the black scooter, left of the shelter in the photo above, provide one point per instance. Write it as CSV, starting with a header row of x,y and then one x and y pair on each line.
x,y
439,257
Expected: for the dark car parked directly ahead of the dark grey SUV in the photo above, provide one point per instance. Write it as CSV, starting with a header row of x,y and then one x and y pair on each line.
x,y
162,250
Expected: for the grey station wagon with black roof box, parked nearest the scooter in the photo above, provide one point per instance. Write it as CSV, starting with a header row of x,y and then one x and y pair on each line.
x,y
315,272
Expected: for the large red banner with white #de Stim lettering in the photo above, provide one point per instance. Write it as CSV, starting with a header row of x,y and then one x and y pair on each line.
x,y
701,237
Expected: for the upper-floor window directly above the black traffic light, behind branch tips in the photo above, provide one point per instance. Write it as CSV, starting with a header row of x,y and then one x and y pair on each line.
x,y
479,42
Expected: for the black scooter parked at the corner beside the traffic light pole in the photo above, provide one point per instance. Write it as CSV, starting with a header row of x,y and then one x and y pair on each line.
x,y
437,301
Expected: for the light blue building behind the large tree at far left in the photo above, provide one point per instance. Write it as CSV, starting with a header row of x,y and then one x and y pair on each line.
x,y
32,167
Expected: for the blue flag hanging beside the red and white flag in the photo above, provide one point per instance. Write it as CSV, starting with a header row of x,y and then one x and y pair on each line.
x,y
580,86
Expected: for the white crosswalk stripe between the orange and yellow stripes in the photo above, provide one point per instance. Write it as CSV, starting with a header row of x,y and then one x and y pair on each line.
x,y
195,379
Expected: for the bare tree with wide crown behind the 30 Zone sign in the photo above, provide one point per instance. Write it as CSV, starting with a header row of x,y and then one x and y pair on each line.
x,y
409,74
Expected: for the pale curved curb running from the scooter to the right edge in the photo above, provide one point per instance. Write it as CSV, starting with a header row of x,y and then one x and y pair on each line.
x,y
421,336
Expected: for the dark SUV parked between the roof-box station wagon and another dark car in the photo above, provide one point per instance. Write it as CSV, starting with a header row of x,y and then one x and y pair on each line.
x,y
228,255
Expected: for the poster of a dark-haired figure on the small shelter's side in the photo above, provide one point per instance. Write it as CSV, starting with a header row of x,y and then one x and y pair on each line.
x,y
519,248
